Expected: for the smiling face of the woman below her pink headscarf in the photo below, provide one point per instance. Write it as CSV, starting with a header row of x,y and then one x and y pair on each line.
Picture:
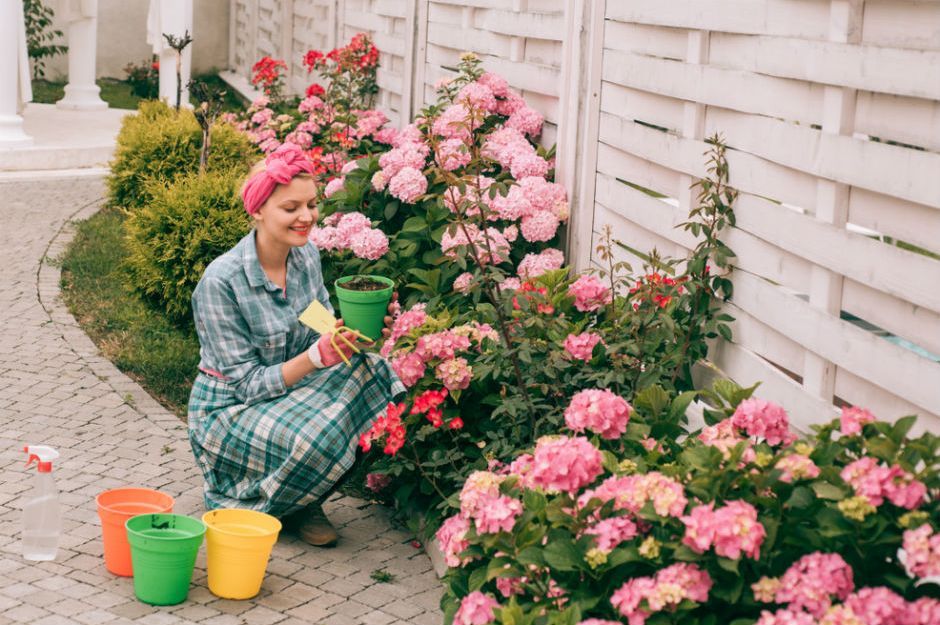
x,y
289,212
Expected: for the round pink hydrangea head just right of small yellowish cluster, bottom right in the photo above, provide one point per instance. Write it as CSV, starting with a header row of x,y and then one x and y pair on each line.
x,y
811,582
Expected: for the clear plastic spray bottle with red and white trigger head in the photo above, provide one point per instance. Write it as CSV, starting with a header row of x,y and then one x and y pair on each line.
x,y
42,522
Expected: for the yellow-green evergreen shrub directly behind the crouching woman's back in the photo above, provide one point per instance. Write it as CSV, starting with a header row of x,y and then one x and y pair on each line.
x,y
184,226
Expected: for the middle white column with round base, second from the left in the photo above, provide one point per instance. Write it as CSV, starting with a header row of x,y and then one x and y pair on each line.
x,y
82,93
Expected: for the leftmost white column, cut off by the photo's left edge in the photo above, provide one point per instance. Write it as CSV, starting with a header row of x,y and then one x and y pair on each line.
x,y
11,124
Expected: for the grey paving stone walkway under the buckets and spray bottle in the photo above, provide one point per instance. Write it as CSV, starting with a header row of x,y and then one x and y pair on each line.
x,y
56,389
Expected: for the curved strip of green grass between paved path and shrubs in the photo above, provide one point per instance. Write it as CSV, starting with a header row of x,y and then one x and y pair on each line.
x,y
161,356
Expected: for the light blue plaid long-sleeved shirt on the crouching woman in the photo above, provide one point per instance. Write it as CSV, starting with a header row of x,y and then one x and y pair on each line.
x,y
247,325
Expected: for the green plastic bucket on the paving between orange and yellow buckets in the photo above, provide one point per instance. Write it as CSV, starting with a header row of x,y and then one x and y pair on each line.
x,y
163,552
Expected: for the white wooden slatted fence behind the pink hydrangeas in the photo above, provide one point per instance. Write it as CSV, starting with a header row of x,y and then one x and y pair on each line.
x,y
830,108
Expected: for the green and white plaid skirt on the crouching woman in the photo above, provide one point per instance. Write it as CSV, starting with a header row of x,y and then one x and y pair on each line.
x,y
279,455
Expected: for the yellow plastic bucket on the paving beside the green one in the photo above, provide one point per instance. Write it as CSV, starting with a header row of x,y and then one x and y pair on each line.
x,y
238,544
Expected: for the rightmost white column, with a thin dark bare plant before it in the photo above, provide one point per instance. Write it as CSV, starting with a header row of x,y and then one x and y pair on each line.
x,y
171,17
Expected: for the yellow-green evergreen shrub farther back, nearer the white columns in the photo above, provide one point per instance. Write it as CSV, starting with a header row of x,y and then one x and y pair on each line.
x,y
160,144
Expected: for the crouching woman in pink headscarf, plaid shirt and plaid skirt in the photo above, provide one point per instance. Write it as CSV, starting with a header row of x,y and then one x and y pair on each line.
x,y
274,417
